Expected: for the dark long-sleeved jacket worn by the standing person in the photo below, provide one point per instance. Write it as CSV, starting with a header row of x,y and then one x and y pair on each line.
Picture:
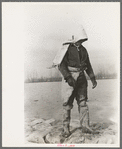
x,y
78,59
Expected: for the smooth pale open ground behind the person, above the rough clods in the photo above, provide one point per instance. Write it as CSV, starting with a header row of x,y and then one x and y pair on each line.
x,y
43,100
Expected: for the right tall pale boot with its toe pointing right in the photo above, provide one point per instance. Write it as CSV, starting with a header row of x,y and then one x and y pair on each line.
x,y
84,120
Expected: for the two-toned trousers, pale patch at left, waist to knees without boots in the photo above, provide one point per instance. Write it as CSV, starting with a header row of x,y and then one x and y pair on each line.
x,y
79,92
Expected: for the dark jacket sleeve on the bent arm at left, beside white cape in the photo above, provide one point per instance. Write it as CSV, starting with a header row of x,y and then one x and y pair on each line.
x,y
63,68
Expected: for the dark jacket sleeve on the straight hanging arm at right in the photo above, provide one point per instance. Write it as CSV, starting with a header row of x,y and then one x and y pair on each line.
x,y
89,69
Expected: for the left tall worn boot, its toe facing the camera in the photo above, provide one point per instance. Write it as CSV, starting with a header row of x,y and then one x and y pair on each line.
x,y
66,122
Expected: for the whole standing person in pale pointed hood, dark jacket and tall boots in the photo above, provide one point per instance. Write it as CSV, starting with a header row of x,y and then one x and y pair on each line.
x,y
74,62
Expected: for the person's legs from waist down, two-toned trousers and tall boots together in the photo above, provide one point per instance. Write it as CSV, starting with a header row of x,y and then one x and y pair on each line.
x,y
79,92
